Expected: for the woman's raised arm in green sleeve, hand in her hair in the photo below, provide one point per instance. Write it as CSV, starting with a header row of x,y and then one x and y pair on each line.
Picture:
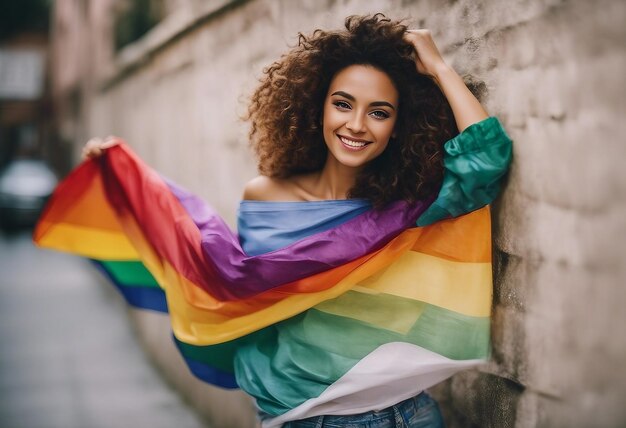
x,y
476,160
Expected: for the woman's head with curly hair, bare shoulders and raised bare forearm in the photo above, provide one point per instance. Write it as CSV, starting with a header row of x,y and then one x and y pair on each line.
x,y
375,58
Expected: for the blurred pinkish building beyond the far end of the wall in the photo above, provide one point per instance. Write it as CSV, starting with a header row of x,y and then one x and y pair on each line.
x,y
87,37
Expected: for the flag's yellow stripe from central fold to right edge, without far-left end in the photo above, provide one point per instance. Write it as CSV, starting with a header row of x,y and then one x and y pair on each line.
x,y
199,319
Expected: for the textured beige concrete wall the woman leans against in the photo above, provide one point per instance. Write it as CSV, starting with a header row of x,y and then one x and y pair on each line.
x,y
554,70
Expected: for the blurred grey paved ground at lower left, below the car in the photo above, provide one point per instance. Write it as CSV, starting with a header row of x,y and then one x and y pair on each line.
x,y
67,355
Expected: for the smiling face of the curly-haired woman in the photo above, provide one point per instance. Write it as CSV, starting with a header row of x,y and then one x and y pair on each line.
x,y
360,112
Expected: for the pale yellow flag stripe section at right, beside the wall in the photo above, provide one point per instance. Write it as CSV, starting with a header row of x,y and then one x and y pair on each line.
x,y
461,287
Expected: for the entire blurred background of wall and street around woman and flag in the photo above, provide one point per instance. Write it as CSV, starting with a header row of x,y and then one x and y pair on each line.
x,y
172,78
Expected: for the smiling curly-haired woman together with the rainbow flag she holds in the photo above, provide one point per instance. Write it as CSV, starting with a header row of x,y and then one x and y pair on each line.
x,y
329,307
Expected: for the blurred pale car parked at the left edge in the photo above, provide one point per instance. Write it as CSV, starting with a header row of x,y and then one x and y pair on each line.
x,y
25,186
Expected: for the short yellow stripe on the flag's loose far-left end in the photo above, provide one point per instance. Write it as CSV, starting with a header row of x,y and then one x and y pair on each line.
x,y
88,242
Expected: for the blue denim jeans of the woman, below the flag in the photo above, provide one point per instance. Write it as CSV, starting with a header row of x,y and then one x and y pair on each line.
x,y
420,411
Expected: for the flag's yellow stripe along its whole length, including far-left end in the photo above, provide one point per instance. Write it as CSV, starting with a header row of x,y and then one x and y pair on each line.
x,y
466,289
